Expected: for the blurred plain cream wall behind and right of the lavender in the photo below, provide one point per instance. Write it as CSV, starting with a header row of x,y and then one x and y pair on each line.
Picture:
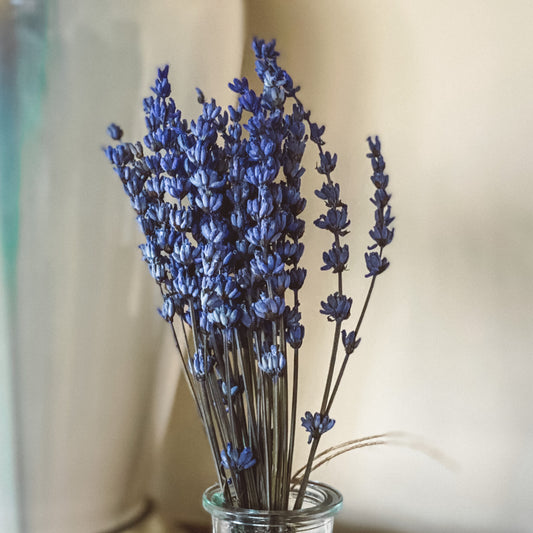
x,y
446,351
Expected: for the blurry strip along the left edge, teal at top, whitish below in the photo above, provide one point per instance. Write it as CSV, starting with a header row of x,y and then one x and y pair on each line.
x,y
22,82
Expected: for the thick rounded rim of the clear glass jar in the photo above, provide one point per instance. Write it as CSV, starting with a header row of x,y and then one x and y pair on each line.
x,y
325,502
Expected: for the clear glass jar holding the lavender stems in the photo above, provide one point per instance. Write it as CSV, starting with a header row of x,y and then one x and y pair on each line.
x,y
321,503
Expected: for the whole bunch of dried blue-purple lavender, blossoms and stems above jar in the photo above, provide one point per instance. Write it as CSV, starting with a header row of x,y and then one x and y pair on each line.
x,y
218,200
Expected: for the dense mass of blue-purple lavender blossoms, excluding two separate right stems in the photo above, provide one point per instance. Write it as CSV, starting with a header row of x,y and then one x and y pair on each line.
x,y
220,211
